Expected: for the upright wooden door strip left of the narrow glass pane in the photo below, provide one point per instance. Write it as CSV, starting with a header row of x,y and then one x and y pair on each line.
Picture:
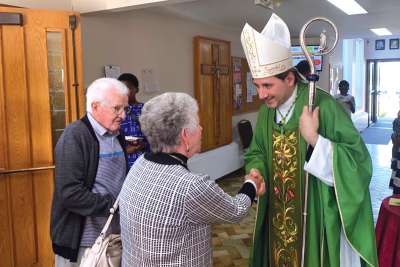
x,y
41,138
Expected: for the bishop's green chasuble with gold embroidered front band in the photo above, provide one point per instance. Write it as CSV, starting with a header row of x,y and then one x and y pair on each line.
x,y
279,152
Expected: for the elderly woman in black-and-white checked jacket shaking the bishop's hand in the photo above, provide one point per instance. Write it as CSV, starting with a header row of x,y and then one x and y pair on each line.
x,y
166,210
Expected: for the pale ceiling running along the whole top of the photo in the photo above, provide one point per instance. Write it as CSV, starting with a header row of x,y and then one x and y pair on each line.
x,y
232,14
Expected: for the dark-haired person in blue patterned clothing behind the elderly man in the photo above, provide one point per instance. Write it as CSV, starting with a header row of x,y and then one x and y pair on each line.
x,y
137,143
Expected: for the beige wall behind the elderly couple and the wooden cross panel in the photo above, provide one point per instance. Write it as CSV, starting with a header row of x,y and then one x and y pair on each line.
x,y
146,39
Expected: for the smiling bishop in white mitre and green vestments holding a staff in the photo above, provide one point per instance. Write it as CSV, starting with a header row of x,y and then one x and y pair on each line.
x,y
340,229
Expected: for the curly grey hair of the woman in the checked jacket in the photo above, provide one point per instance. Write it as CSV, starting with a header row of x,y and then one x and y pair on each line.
x,y
163,118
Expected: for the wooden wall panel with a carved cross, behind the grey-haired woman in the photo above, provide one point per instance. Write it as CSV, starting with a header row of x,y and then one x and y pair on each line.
x,y
212,75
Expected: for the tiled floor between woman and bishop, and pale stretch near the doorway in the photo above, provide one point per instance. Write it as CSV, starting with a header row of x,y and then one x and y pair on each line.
x,y
231,243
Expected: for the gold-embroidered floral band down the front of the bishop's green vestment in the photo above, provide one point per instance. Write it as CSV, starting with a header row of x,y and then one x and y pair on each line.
x,y
285,195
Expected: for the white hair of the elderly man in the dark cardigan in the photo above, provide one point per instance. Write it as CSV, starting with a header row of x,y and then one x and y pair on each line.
x,y
98,90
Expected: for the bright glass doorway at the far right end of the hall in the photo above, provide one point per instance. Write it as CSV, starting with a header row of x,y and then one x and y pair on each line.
x,y
383,89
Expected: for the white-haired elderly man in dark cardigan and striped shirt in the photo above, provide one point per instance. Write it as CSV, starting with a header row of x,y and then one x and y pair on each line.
x,y
90,168
